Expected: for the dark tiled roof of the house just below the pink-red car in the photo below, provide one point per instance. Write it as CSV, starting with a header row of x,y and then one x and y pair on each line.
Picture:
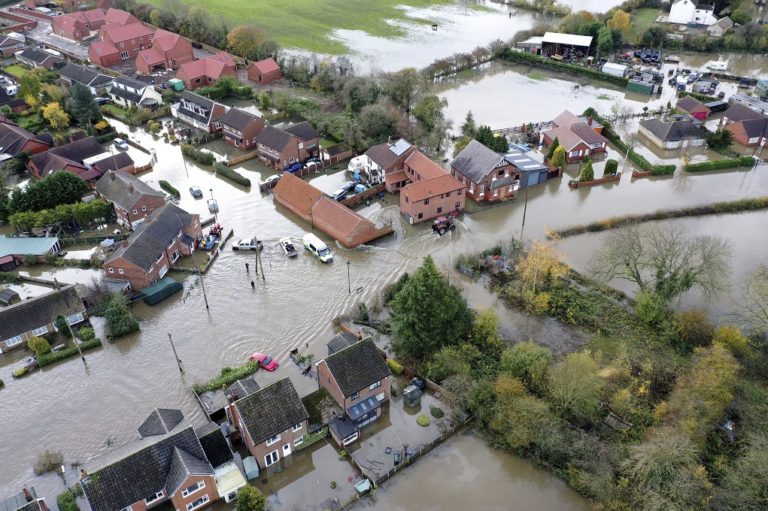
x,y
271,410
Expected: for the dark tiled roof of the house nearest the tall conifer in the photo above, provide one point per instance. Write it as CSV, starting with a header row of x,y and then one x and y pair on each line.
x,y
357,367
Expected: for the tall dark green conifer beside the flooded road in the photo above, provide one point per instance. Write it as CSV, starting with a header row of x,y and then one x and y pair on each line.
x,y
428,313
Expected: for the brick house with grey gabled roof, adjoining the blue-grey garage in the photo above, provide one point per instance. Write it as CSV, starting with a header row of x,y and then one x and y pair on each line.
x,y
488,176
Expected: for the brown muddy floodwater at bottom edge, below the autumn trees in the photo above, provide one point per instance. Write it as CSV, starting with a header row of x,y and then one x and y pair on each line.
x,y
465,474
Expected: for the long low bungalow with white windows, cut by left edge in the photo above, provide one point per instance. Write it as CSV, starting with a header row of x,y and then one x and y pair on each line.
x,y
36,316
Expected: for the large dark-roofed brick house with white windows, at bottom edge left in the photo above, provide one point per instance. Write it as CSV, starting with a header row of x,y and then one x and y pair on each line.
x,y
167,463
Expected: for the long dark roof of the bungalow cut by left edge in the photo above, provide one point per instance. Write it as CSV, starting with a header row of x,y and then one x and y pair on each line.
x,y
39,311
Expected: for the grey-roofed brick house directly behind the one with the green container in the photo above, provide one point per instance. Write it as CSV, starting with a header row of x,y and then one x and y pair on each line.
x,y
134,200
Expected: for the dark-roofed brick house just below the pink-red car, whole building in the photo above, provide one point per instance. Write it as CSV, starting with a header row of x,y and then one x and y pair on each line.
x,y
272,422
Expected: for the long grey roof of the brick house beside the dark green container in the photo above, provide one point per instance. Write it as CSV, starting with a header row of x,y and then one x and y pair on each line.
x,y
151,238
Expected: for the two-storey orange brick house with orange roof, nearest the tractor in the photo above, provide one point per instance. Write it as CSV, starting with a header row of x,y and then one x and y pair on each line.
x,y
431,192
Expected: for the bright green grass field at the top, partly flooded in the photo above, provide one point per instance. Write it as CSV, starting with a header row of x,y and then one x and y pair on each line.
x,y
308,24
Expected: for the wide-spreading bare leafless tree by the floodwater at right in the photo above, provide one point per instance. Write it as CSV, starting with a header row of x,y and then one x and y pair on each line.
x,y
665,260
